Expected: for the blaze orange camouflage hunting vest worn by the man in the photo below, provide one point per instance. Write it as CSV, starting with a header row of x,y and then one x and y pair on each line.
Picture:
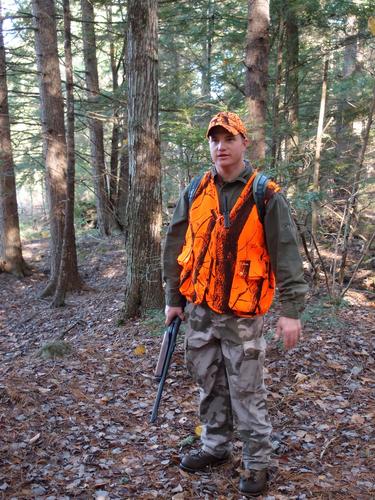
x,y
228,268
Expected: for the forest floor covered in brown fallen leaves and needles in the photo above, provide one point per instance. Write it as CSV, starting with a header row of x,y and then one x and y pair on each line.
x,y
78,426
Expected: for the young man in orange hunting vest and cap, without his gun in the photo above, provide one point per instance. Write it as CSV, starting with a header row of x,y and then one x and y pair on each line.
x,y
223,259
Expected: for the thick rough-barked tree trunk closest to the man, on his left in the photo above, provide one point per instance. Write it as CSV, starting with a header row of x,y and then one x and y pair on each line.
x,y
143,280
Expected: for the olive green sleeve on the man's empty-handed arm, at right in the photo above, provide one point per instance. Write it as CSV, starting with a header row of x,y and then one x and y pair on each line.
x,y
282,244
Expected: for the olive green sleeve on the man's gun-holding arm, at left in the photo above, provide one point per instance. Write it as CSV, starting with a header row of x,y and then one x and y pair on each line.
x,y
174,242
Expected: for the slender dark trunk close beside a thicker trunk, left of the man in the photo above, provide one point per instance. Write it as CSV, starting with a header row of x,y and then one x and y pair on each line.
x,y
68,278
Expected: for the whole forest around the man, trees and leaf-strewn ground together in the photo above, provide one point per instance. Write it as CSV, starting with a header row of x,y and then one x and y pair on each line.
x,y
104,107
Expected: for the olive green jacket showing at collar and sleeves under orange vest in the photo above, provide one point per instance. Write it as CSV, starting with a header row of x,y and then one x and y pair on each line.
x,y
281,238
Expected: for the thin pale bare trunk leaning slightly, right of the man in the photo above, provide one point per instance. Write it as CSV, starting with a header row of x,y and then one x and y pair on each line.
x,y
319,135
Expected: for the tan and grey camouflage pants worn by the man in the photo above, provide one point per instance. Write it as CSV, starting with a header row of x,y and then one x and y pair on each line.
x,y
225,356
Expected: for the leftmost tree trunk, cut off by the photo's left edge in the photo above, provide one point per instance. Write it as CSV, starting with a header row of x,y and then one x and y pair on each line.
x,y
11,259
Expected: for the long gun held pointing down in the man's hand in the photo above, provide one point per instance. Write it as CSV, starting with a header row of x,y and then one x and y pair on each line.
x,y
165,356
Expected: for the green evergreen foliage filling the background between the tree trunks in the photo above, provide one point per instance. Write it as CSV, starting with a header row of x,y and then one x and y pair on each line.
x,y
201,45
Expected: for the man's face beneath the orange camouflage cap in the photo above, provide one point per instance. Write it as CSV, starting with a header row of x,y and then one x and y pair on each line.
x,y
227,150
